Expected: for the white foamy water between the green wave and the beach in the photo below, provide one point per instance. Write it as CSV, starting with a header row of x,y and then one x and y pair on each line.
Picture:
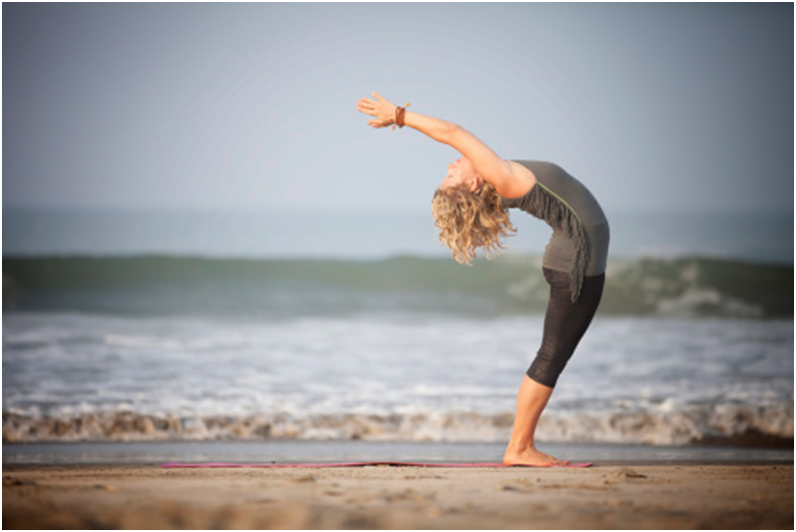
x,y
388,377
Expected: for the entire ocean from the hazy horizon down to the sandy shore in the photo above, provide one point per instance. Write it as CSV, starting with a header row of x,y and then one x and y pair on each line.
x,y
189,342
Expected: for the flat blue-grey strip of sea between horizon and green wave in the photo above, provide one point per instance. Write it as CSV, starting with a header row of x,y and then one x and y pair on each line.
x,y
760,237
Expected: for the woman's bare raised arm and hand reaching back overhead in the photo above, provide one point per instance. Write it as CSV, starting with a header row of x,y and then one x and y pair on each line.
x,y
509,179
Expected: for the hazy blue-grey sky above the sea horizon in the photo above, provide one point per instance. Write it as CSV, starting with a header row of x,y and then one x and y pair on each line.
x,y
653,106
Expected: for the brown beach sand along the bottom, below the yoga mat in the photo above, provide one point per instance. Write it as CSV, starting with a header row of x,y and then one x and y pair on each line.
x,y
629,496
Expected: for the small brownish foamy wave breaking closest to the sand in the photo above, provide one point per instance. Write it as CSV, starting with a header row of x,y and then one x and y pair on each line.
x,y
758,426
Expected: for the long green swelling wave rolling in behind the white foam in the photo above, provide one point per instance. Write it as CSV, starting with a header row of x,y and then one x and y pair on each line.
x,y
279,287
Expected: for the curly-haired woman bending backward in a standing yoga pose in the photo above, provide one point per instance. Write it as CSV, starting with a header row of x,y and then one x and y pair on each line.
x,y
470,209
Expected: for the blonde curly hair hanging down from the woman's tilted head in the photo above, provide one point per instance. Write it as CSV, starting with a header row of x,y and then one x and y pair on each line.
x,y
469,220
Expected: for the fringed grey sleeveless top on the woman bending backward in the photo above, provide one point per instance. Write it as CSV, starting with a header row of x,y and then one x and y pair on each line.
x,y
579,245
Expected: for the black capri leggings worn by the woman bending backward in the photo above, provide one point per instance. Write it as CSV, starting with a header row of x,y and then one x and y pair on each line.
x,y
565,323
